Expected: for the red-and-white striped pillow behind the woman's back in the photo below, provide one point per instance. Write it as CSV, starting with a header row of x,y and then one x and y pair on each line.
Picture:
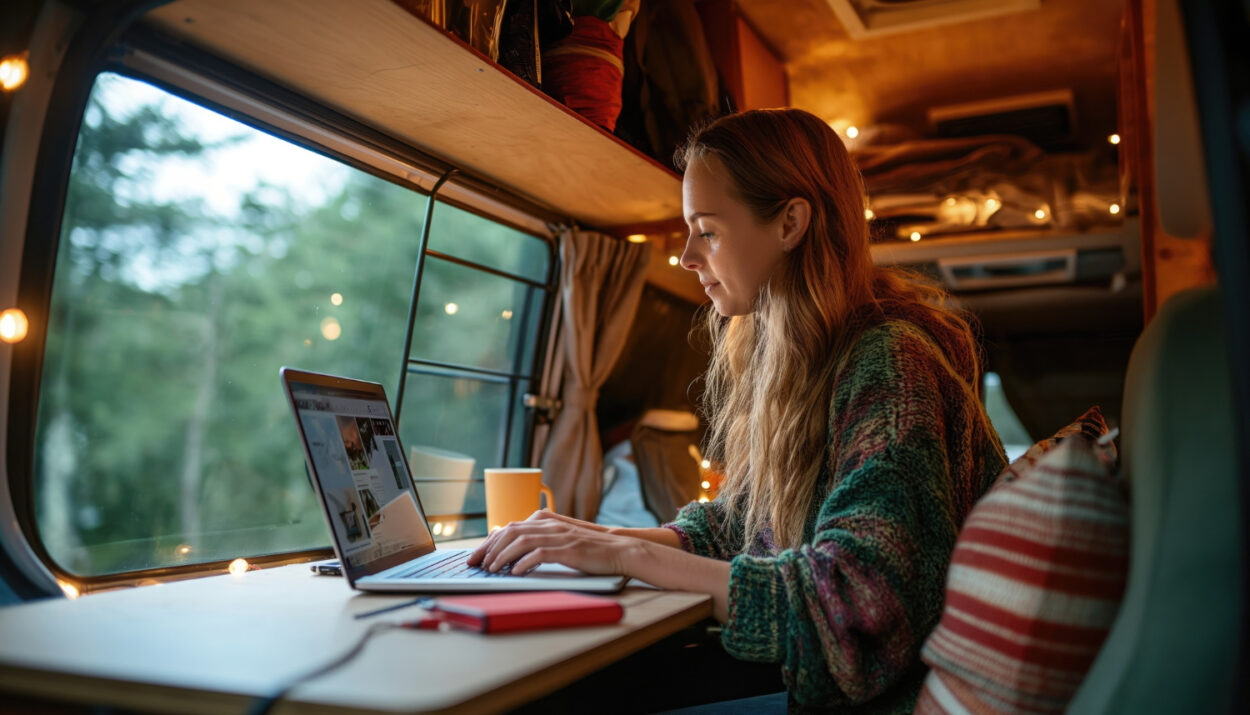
x,y
1034,584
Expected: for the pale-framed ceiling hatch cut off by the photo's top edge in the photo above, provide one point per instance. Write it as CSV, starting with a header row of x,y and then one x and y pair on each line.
x,y
873,18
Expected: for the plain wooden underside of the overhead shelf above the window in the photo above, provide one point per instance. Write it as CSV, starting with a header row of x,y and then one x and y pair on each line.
x,y
374,62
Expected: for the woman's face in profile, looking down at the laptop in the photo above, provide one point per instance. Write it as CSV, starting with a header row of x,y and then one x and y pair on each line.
x,y
729,248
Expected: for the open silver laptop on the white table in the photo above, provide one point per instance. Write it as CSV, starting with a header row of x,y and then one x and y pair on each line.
x,y
379,529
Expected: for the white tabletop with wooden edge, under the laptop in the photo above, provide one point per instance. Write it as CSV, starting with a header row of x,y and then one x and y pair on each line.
x,y
214,644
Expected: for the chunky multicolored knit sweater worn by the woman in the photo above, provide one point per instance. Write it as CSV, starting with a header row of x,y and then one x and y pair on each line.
x,y
908,456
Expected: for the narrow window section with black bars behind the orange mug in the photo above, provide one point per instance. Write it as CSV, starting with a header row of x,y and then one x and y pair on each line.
x,y
483,288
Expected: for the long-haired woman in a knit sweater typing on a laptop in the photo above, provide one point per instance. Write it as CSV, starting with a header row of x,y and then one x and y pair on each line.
x,y
843,402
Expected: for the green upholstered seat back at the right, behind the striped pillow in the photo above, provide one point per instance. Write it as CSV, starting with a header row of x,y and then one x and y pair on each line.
x,y
1173,647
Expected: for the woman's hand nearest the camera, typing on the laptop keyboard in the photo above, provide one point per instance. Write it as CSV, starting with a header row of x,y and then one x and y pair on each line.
x,y
549,538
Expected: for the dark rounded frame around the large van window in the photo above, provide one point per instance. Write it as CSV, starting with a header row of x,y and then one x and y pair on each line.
x,y
233,92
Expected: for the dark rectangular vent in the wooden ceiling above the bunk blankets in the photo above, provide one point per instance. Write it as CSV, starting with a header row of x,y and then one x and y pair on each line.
x,y
1047,119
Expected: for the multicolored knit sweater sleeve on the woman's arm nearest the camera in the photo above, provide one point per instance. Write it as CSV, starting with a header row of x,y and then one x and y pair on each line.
x,y
846,614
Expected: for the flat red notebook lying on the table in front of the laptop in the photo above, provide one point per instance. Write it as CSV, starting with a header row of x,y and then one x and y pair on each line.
x,y
499,613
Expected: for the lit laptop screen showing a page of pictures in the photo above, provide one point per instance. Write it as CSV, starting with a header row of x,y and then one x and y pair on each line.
x,y
358,463
